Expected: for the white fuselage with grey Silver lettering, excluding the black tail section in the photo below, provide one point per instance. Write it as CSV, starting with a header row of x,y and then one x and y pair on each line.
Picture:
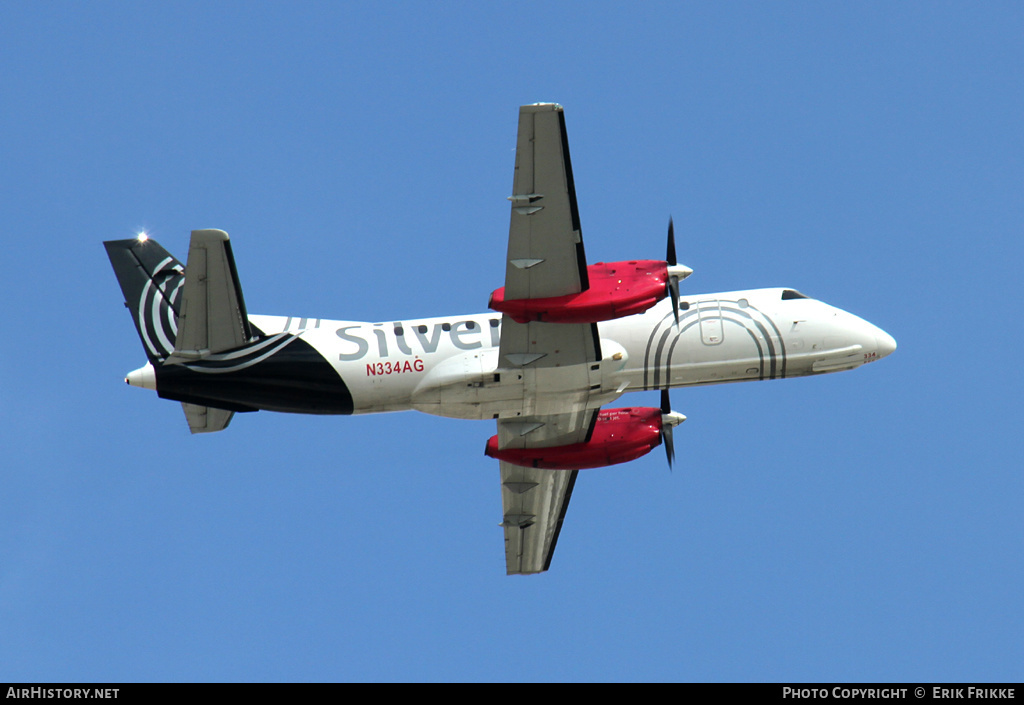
x,y
450,366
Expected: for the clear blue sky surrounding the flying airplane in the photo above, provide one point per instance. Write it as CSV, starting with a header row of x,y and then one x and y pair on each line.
x,y
862,526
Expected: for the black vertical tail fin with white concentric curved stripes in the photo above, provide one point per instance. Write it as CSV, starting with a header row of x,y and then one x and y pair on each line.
x,y
151,280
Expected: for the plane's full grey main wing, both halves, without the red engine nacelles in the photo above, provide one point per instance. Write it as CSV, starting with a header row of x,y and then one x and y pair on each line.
x,y
557,361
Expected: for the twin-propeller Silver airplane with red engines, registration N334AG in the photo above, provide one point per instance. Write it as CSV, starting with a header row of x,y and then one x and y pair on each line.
x,y
563,340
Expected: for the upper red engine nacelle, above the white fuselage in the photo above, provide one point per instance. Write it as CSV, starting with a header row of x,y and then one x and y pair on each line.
x,y
617,289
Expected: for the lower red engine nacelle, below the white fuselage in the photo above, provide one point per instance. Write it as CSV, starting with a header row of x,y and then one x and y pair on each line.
x,y
620,436
